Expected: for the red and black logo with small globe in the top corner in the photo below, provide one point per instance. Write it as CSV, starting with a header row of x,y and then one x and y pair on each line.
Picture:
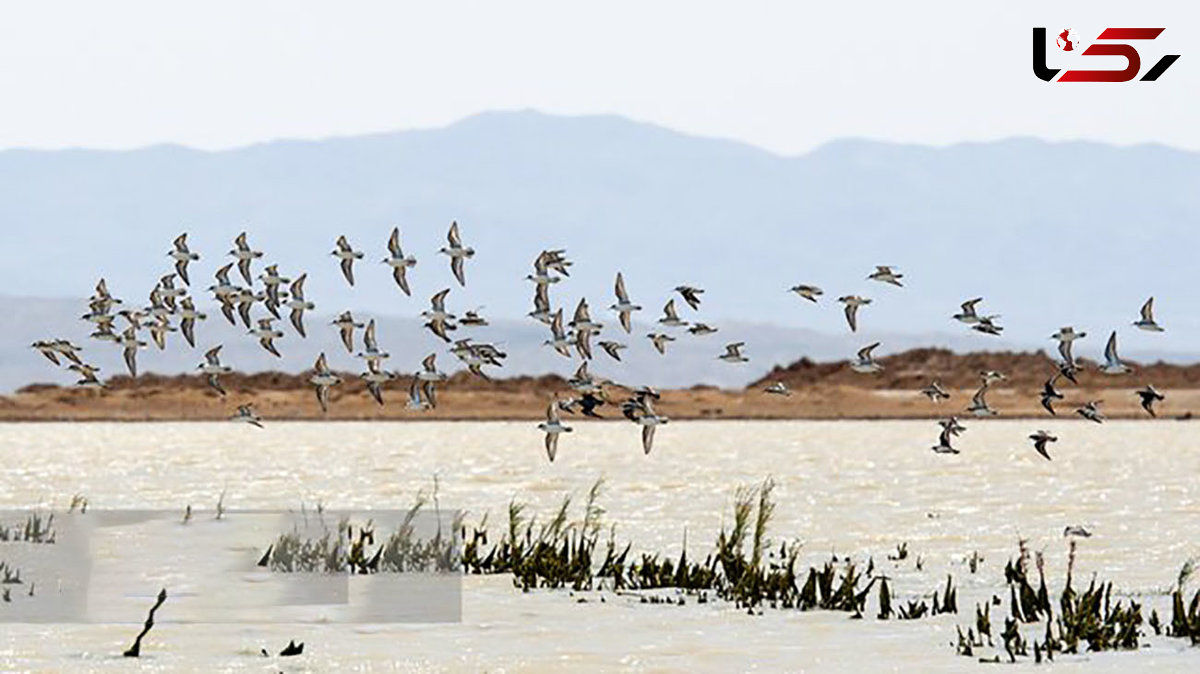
x,y
1106,46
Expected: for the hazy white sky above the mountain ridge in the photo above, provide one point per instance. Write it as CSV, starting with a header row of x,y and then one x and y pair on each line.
x,y
785,76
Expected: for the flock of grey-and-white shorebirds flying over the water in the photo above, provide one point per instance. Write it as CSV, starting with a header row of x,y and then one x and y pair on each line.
x,y
171,305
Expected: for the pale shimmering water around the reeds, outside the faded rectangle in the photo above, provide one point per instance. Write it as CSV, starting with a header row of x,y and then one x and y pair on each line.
x,y
857,489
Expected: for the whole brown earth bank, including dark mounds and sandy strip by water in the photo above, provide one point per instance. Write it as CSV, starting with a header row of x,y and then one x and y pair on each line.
x,y
826,390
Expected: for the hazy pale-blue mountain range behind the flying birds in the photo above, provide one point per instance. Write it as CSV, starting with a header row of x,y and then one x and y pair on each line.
x,y
1049,233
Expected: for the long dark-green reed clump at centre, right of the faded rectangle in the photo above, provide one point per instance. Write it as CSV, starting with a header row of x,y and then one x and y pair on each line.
x,y
745,567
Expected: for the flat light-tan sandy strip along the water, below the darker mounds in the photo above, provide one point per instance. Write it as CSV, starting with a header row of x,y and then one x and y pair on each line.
x,y
815,402
